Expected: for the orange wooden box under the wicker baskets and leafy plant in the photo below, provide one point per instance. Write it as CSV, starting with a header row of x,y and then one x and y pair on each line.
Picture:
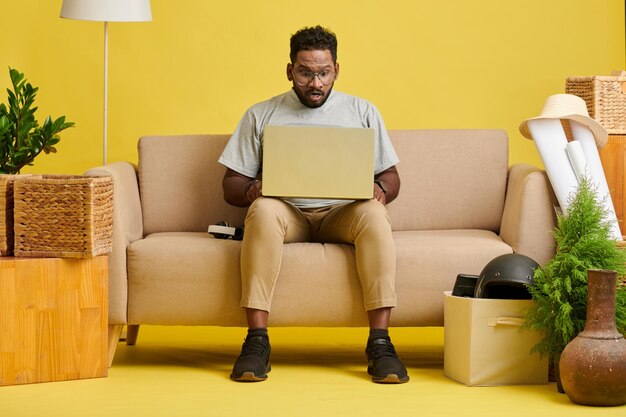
x,y
53,319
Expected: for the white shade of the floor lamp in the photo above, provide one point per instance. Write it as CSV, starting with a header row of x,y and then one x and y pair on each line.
x,y
107,10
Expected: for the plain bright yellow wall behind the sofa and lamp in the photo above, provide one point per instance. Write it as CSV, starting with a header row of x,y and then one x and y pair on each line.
x,y
199,64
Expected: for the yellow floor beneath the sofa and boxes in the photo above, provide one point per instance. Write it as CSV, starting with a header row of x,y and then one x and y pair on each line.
x,y
183,371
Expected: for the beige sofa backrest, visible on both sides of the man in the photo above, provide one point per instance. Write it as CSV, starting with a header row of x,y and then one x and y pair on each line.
x,y
451,179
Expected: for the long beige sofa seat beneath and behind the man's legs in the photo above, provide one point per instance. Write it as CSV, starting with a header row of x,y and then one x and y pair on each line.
x,y
191,278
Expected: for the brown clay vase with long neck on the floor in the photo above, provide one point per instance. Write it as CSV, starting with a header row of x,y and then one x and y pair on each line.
x,y
593,364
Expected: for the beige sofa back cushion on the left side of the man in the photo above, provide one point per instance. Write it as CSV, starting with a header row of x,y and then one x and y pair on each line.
x,y
180,182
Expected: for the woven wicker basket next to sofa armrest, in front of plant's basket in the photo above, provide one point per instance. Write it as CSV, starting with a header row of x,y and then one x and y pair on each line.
x,y
63,216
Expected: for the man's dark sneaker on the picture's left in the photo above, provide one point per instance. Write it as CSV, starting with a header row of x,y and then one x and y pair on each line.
x,y
253,363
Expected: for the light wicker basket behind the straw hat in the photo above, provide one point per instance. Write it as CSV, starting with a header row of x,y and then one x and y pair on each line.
x,y
605,98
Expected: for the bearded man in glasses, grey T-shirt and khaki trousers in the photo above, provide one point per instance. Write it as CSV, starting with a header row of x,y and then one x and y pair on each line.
x,y
270,222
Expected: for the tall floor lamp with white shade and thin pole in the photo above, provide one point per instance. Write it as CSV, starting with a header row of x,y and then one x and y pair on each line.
x,y
107,11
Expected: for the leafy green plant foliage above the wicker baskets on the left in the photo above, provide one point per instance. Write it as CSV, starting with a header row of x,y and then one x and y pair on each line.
x,y
22,139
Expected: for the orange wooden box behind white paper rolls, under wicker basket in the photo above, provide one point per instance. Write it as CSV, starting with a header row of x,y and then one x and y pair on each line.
x,y
613,157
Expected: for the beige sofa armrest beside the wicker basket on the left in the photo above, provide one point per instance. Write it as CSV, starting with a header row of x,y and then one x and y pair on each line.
x,y
127,228
